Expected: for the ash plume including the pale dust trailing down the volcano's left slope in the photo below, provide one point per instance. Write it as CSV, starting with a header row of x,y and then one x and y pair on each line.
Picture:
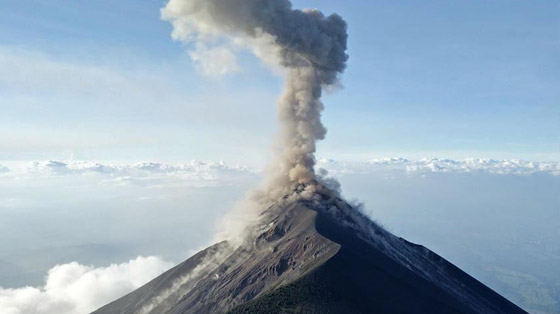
x,y
309,48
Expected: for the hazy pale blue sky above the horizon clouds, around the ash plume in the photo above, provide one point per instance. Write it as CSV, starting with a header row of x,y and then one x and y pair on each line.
x,y
104,80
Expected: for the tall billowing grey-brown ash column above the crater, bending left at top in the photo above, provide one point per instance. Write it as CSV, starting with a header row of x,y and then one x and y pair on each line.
x,y
309,46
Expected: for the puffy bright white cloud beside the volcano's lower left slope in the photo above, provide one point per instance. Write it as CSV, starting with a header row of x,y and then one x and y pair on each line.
x,y
77,289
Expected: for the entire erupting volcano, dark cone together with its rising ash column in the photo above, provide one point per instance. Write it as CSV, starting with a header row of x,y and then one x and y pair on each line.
x,y
309,251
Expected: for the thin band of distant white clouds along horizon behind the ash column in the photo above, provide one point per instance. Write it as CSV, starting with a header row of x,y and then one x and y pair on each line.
x,y
220,172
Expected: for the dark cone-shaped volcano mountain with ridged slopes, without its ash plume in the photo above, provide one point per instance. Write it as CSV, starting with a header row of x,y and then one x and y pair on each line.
x,y
313,257
